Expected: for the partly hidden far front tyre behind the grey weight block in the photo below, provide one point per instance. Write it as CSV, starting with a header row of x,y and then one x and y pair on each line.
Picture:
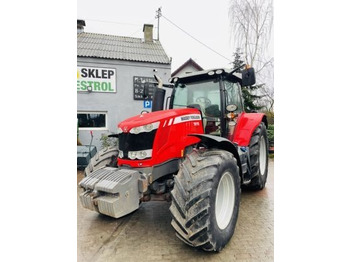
x,y
105,157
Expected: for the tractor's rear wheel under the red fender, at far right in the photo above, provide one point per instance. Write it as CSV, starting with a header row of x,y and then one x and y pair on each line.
x,y
259,152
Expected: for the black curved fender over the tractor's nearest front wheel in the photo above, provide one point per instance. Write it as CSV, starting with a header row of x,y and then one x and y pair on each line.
x,y
220,143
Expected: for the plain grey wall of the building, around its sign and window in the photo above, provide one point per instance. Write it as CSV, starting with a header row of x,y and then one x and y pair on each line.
x,y
121,104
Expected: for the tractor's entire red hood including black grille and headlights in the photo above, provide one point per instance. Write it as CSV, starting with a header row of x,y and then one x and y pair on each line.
x,y
153,139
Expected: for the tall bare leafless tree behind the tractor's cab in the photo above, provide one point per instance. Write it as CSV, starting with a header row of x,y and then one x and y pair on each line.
x,y
251,23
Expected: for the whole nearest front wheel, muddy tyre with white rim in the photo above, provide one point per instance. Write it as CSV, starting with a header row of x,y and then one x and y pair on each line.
x,y
205,199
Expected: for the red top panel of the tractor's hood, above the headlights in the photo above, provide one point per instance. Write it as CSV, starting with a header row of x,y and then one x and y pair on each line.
x,y
152,117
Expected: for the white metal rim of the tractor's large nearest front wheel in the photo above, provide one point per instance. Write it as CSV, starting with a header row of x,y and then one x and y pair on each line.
x,y
225,199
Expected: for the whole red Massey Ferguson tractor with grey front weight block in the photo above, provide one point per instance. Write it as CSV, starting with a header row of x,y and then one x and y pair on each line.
x,y
198,154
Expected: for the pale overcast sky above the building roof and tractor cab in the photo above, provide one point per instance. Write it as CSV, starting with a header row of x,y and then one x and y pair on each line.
x,y
208,21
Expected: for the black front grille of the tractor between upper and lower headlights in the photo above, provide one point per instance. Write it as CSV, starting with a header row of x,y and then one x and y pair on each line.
x,y
136,142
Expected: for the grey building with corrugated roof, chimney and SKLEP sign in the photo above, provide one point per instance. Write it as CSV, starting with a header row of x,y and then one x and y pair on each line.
x,y
111,75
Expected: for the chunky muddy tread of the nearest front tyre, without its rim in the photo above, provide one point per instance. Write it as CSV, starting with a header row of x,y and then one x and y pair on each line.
x,y
191,197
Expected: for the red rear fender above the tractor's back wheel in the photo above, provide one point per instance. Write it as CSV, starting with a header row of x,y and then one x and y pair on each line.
x,y
246,124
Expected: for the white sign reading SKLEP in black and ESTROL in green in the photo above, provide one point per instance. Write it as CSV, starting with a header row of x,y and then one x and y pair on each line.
x,y
96,79
